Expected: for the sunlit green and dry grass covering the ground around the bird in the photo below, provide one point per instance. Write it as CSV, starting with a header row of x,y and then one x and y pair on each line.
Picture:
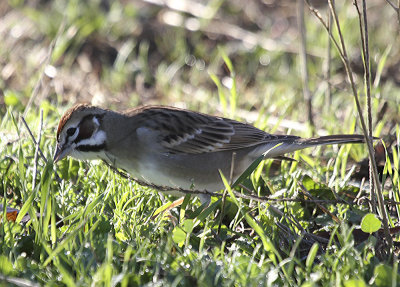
x,y
89,225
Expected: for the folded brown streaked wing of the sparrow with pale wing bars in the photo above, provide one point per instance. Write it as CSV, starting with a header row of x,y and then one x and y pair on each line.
x,y
182,131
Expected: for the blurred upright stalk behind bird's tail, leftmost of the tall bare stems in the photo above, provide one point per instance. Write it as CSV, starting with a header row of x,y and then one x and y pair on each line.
x,y
303,62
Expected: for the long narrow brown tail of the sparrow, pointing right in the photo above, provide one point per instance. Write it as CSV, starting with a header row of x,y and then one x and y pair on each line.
x,y
282,146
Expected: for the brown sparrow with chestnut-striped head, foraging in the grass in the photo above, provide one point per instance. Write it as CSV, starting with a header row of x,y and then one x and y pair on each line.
x,y
171,148
